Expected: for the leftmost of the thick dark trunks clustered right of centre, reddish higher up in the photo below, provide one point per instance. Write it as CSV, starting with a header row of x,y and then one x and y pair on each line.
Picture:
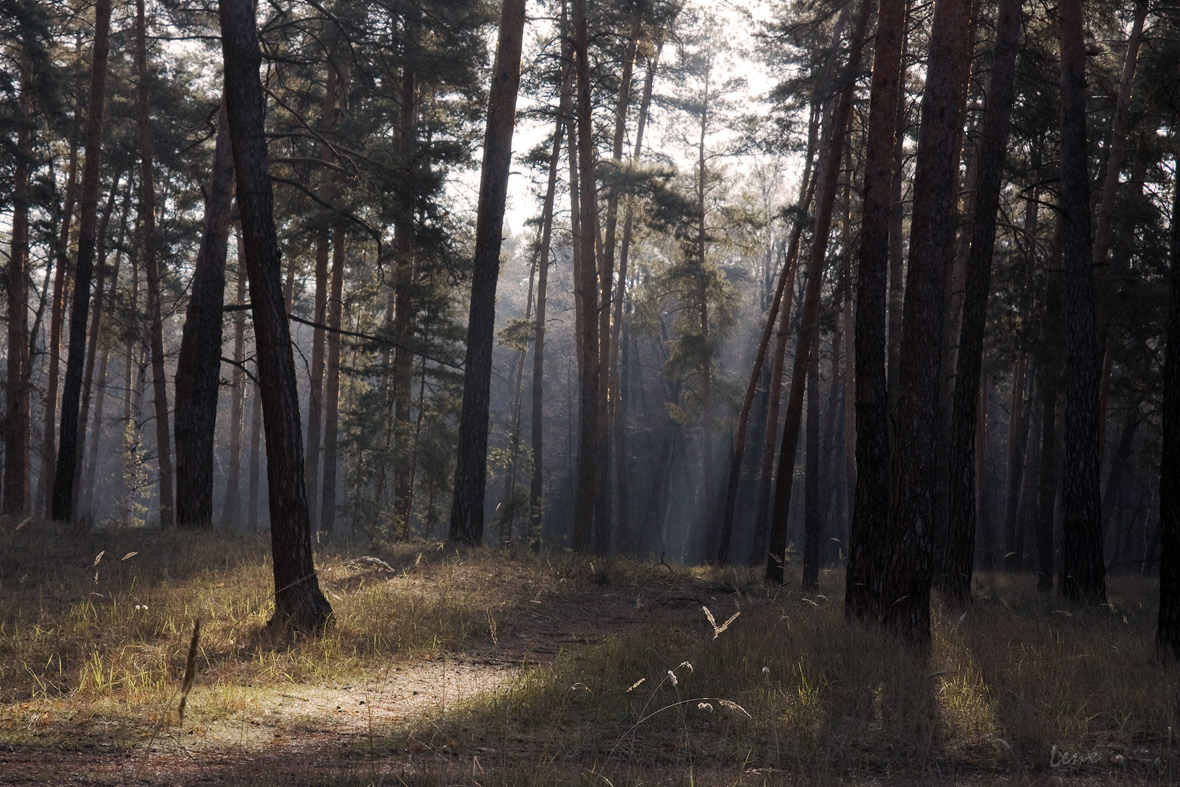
x,y
870,511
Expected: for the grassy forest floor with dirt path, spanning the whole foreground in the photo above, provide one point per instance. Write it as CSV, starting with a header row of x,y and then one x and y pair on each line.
x,y
500,668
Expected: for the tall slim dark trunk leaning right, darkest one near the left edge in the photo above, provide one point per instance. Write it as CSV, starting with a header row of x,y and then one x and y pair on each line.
x,y
71,393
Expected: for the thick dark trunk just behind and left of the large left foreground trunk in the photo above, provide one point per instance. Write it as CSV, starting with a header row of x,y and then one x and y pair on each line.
x,y
199,366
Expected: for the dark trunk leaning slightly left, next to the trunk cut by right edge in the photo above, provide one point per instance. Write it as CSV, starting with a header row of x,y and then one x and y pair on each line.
x,y
1083,570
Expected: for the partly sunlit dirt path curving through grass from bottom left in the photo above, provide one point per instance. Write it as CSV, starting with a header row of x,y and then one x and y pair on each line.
x,y
312,734
